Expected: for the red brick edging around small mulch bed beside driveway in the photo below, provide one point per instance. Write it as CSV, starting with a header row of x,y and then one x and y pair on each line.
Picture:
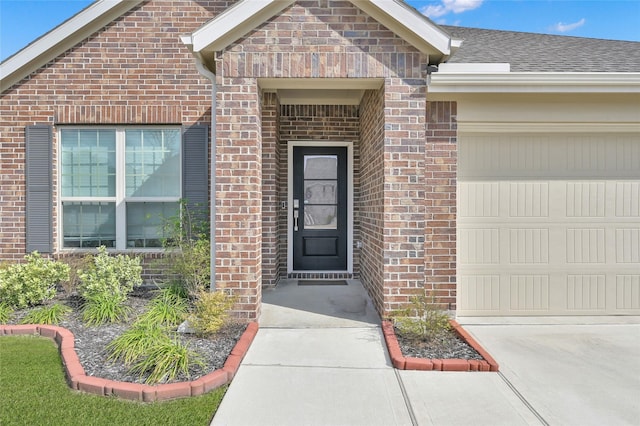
x,y
409,363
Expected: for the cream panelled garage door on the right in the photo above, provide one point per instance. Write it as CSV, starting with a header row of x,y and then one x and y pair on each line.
x,y
549,224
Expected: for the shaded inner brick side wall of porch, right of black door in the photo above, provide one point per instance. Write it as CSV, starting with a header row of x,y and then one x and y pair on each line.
x,y
371,194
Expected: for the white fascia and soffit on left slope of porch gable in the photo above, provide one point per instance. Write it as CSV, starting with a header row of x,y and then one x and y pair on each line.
x,y
234,23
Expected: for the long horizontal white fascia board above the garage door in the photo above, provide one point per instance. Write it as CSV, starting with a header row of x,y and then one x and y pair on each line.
x,y
527,82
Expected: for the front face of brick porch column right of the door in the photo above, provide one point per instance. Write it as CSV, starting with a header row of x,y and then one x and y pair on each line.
x,y
404,209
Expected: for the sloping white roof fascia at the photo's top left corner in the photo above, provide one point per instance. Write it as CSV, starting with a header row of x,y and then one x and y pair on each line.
x,y
61,38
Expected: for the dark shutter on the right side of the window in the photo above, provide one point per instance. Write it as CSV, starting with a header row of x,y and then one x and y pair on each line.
x,y
195,177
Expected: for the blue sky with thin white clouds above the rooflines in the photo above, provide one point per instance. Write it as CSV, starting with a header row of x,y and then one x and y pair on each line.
x,y
22,21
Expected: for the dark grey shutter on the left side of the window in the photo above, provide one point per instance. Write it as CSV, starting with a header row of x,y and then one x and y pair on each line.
x,y
39,205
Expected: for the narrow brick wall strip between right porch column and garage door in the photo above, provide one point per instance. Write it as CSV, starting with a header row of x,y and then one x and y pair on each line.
x,y
441,159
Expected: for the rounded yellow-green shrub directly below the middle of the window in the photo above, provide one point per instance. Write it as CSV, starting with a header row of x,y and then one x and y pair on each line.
x,y
109,275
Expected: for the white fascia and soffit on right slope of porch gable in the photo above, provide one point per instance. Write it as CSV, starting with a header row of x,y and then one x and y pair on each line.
x,y
409,24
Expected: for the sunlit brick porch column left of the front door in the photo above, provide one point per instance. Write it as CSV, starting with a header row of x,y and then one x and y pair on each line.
x,y
239,194
